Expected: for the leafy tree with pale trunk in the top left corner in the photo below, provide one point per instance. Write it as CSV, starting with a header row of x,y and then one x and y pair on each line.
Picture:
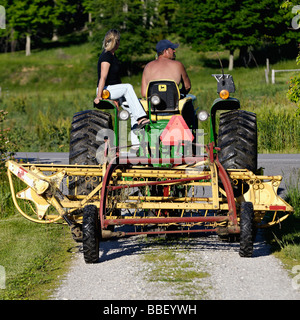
x,y
33,19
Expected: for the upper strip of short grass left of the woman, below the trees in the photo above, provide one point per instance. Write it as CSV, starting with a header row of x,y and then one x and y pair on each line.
x,y
52,70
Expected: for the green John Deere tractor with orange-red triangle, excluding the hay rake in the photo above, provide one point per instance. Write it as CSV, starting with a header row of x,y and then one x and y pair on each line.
x,y
174,128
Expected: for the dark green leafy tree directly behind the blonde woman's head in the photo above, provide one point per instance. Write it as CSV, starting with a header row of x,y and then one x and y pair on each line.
x,y
135,19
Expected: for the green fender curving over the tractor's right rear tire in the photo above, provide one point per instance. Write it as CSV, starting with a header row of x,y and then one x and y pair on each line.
x,y
221,104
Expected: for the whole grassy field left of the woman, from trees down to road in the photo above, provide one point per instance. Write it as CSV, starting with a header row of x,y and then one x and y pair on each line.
x,y
43,91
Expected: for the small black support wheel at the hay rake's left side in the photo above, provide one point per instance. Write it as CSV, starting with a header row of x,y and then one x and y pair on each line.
x,y
91,234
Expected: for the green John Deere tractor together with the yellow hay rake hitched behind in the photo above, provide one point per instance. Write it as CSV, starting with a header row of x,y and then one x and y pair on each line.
x,y
174,184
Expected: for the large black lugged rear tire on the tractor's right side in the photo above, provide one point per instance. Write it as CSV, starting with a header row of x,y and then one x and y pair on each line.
x,y
237,140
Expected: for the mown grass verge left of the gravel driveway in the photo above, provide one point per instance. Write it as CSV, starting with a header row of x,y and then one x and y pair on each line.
x,y
33,256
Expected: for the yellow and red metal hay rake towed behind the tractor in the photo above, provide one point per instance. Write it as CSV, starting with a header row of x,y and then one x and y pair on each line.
x,y
193,197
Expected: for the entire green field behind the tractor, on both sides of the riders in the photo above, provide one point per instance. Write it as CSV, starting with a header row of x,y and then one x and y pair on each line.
x,y
43,91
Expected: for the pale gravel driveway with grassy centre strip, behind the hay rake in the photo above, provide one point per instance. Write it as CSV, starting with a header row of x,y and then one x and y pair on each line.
x,y
125,273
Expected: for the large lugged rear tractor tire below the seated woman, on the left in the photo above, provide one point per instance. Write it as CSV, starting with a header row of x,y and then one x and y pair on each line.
x,y
85,141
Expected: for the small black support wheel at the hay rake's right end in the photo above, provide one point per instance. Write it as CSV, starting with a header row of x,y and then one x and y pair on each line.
x,y
247,229
